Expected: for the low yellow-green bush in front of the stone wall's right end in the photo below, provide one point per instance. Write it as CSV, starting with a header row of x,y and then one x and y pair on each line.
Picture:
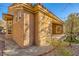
x,y
60,47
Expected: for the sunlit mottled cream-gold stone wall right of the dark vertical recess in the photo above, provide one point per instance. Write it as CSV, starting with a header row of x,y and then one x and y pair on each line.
x,y
44,29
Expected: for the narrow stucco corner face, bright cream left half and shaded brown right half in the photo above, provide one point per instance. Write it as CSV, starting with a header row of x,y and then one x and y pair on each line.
x,y
28,28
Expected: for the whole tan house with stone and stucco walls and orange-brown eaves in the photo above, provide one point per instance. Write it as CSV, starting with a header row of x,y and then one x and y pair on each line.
x,y
31,25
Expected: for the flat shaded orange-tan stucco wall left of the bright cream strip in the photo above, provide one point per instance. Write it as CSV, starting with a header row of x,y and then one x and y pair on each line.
x,y
18,31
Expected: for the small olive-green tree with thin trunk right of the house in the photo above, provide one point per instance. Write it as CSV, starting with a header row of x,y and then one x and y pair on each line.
x,y
71,23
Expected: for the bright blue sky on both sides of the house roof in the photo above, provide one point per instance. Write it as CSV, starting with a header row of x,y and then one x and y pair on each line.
x,y
61,10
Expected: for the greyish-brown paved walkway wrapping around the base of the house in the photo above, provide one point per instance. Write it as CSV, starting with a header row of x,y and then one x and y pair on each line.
x,y
12,49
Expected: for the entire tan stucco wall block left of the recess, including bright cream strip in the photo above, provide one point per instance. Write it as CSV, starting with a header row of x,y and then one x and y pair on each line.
x,y
23,29
